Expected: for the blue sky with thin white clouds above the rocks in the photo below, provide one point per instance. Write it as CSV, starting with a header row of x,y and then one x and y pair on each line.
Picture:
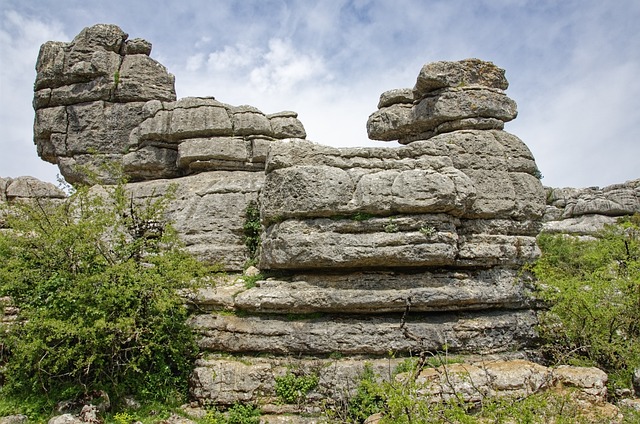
x,y
573,66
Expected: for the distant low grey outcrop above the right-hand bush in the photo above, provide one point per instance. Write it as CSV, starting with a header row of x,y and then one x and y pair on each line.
x,y
585,211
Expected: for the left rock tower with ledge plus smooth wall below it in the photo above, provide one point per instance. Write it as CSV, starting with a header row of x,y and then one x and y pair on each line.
x,y
105,109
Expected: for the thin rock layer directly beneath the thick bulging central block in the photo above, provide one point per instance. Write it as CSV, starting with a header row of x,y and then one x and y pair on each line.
x,y
380,292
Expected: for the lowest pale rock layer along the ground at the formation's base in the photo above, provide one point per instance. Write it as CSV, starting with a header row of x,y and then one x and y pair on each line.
x,y
241,380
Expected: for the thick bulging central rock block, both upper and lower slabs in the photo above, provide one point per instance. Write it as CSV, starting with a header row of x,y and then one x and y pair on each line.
x,y
410,207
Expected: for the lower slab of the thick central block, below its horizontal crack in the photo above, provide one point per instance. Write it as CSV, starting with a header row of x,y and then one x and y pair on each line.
x,y
405,241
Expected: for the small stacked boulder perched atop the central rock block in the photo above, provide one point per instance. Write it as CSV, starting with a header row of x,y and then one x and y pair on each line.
x,y
448,96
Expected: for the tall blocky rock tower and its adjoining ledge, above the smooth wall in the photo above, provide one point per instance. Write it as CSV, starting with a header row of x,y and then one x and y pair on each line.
x,y
101,100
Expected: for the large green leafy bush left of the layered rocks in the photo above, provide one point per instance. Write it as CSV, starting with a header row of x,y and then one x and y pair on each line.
x,y
95,280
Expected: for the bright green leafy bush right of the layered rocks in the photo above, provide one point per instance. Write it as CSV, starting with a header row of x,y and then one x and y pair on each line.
x,y
593,289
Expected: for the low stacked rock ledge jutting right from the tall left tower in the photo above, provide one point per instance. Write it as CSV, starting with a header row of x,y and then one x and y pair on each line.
x,y
195,135
